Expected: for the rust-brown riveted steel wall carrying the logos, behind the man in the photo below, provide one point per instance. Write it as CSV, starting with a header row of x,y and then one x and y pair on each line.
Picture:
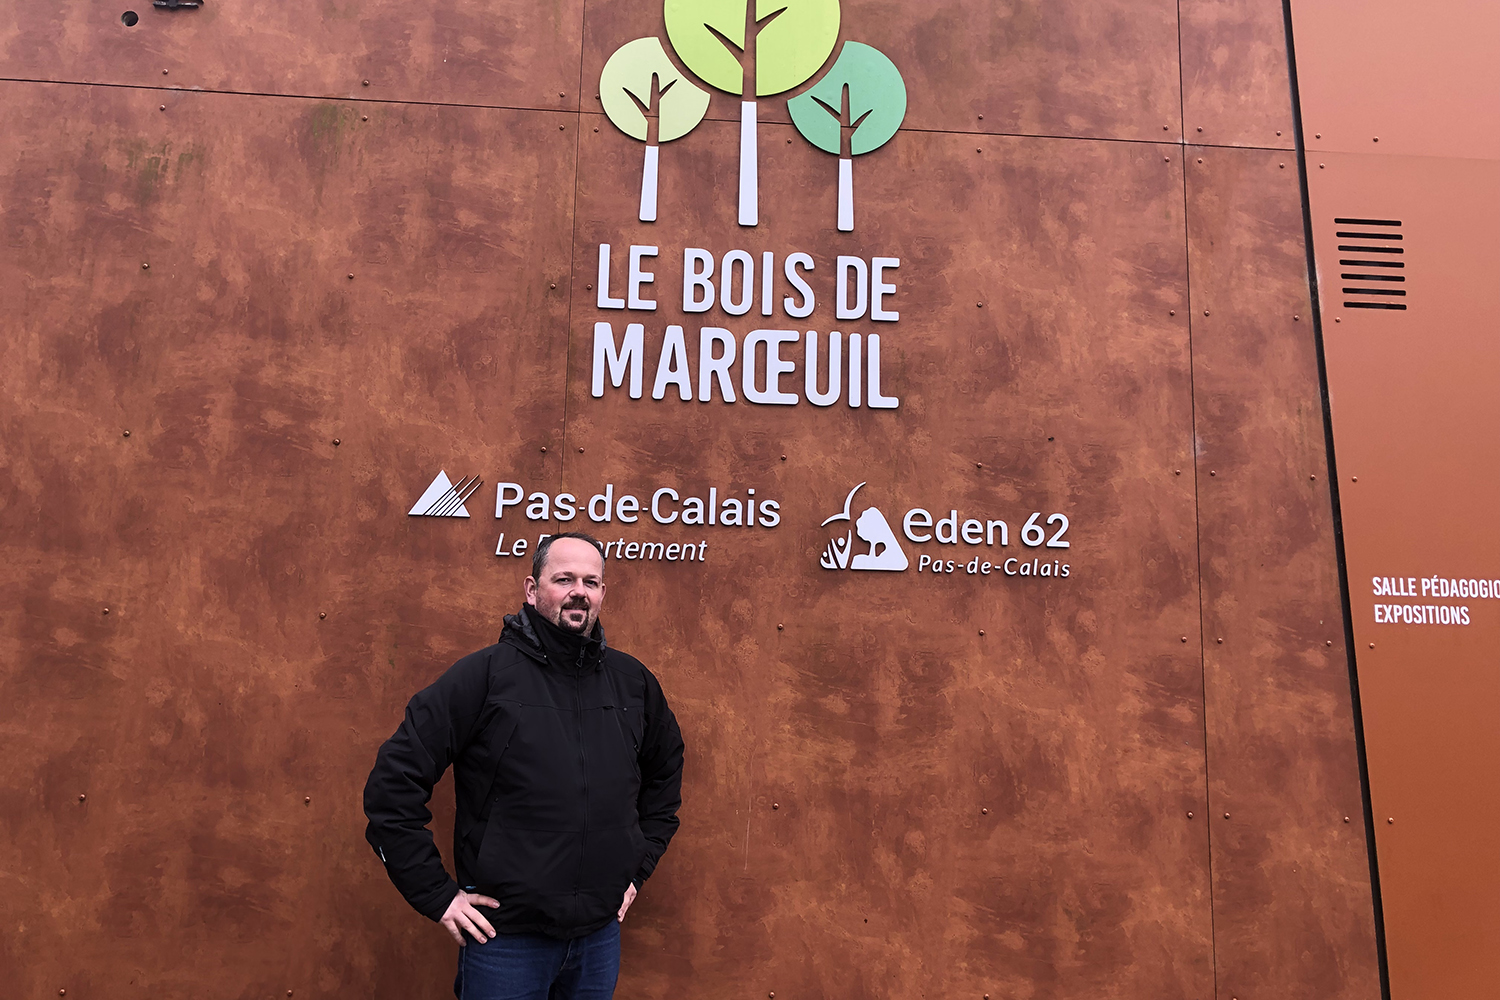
x,y
268,269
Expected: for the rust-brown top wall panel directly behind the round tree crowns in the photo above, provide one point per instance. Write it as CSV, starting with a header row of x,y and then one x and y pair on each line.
x,y
1081,68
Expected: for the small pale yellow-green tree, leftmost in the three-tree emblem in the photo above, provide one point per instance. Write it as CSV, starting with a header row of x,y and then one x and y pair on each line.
x,y
649,100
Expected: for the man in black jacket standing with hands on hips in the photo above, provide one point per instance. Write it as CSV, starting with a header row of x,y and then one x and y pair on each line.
x,y
568,767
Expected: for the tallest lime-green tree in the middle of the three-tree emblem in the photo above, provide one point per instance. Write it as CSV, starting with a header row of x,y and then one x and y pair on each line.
x,y
754,49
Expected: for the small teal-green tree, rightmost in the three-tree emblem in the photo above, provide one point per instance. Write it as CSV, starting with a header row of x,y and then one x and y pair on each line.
x,y
856,109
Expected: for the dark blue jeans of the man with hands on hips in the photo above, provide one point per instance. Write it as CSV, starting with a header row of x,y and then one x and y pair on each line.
x,y
539,968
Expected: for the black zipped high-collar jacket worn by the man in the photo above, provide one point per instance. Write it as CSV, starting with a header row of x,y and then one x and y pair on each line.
x,y
568,776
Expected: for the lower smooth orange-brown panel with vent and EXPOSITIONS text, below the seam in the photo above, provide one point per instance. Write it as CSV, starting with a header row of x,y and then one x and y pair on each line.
x,y
1414,401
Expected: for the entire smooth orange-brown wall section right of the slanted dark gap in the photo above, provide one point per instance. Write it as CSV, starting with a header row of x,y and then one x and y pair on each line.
x,y
1402,122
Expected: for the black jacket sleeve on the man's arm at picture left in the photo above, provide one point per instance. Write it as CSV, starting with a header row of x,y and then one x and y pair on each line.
x,y
440,722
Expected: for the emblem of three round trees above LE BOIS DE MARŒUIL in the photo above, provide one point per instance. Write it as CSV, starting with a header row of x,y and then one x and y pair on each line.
x,y
755,49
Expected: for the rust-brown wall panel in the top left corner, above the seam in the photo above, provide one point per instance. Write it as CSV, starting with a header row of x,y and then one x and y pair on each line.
x,y
461,52
